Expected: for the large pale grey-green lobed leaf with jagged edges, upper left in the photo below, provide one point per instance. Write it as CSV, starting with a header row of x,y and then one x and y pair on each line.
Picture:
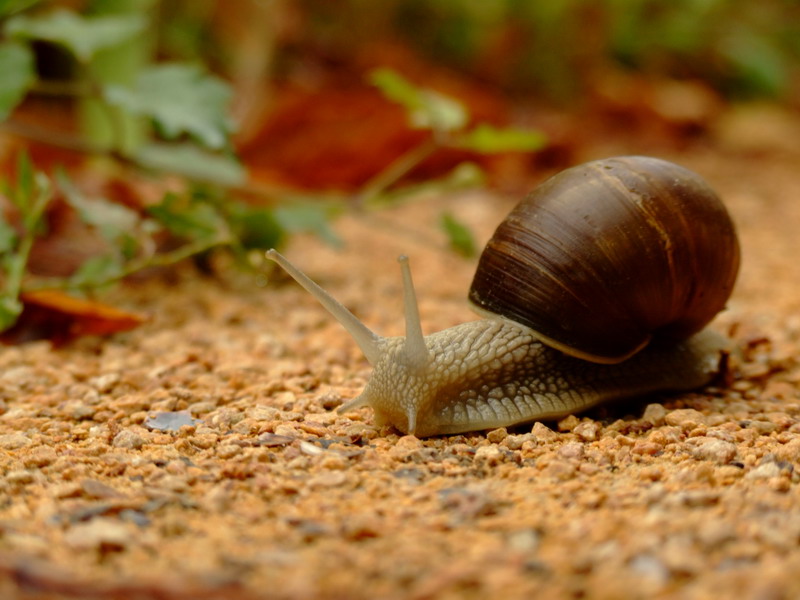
x,y
181,99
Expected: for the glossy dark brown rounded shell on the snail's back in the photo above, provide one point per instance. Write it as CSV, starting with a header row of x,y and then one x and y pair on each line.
x,y
604,256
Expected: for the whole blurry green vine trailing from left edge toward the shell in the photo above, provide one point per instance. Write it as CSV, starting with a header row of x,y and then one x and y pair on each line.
x,y
171,118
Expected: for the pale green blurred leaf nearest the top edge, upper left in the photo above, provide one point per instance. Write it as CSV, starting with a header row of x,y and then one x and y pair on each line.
x,y
83,36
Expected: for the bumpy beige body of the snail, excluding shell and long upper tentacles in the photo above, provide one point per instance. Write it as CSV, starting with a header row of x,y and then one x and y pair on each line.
x,y
492,373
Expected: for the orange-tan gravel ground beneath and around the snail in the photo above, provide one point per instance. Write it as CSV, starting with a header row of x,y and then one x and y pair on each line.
x,y
273,495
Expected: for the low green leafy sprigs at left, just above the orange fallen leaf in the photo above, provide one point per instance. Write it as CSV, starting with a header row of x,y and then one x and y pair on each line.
x,y
195,223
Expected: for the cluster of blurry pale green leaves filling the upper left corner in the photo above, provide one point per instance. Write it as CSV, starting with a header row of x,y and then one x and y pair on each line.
x,y
137,104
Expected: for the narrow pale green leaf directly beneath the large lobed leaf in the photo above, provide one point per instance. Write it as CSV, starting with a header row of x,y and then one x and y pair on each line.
x,y
192,162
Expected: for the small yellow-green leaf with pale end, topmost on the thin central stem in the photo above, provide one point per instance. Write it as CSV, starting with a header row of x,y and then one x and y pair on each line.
x,y
426,108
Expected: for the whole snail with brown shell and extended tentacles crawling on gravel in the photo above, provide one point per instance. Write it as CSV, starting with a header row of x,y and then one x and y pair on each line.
x,y
596,287
